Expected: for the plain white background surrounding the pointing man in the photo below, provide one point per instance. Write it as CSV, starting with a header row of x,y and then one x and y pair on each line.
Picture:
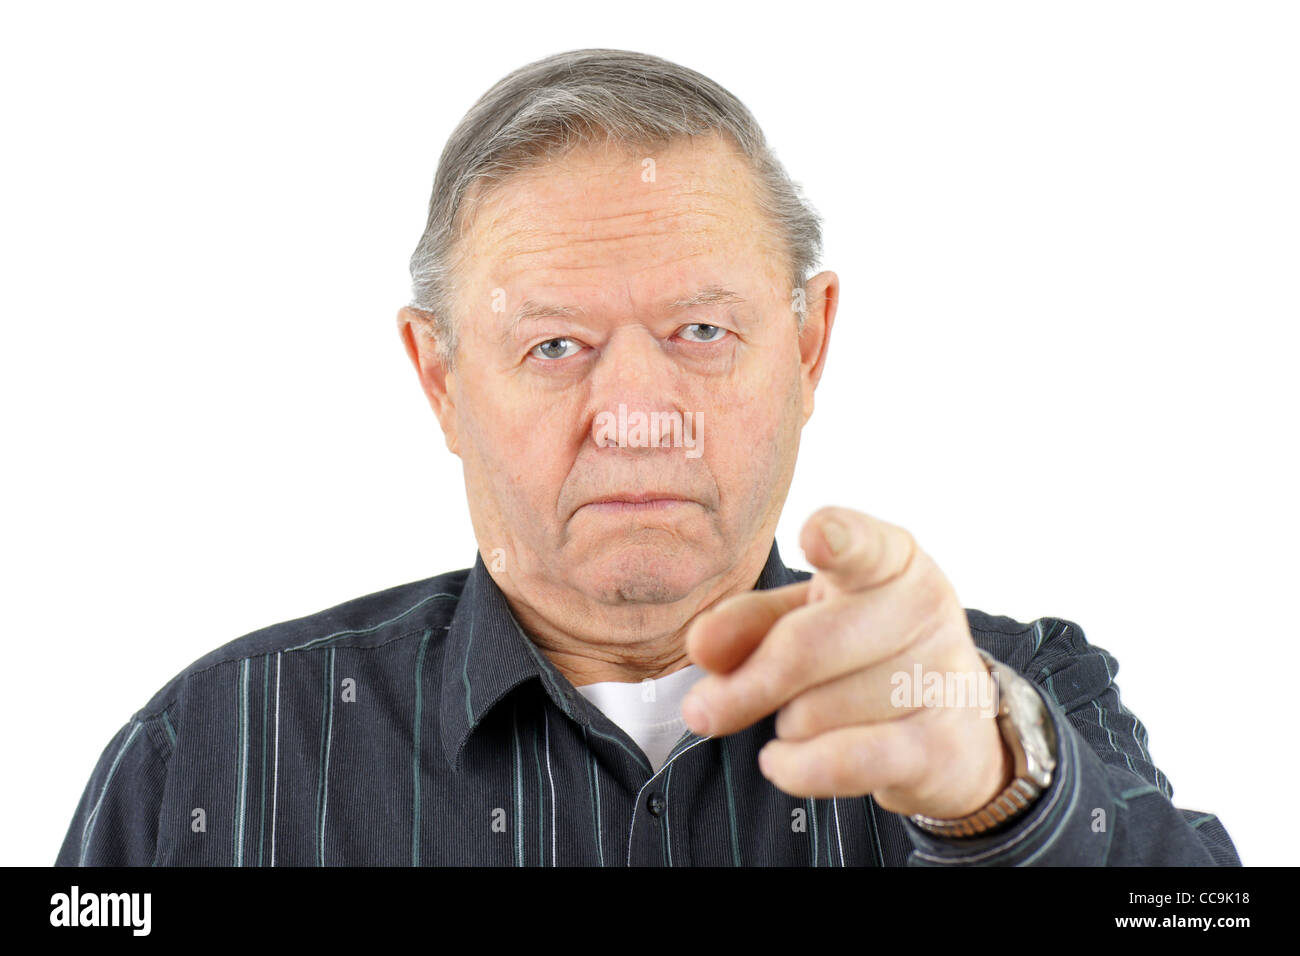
x,y
1065,354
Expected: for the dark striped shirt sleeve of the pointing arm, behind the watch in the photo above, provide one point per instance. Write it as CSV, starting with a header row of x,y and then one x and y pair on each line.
x,y
1108,803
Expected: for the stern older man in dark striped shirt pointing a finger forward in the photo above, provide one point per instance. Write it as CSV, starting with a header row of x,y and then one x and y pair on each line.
x,y
614,326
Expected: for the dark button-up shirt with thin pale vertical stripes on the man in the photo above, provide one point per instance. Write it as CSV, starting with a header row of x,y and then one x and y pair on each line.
x,y
421,726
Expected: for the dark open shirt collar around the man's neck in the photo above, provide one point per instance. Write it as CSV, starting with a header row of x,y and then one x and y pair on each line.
x,y
489,655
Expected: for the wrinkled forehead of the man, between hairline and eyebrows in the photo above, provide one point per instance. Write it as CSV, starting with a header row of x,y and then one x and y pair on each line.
x,y
604,214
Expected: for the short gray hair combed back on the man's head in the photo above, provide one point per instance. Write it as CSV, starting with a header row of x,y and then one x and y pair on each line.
x,y
553,105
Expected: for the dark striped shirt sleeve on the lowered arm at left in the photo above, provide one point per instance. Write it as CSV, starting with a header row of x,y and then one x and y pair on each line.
x,y
116,823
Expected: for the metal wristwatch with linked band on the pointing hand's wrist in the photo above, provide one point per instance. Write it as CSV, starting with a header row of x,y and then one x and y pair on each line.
x,y
1026,726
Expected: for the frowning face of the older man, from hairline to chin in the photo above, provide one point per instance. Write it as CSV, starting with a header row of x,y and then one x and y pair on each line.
x,y
534,409
